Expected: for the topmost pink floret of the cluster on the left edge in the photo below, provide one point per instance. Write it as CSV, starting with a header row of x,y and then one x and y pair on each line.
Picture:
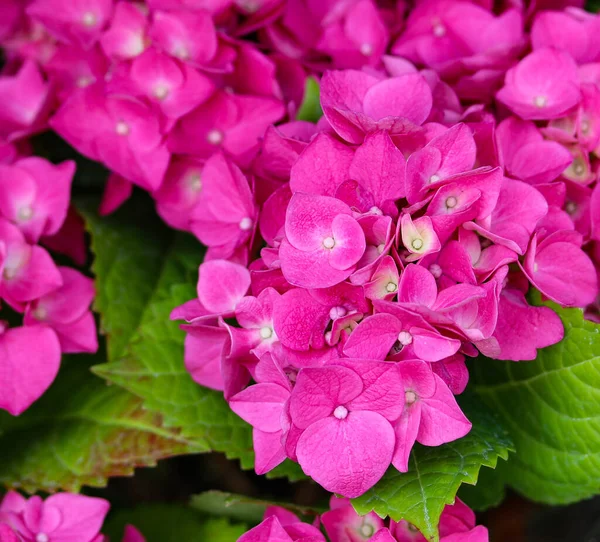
x,y
34,195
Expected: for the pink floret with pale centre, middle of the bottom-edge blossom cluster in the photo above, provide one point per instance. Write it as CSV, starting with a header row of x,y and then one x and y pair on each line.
x,y
343,524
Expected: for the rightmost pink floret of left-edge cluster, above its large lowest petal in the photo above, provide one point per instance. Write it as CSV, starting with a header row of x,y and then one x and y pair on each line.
x,y
66,311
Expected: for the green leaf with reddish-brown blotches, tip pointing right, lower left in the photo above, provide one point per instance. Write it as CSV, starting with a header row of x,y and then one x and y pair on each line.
x,y
80,433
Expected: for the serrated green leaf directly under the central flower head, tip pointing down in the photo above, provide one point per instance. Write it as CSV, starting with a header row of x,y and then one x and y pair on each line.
x,y
435,474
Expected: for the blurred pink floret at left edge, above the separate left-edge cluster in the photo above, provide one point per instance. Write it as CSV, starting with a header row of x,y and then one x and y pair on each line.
x,y
27,93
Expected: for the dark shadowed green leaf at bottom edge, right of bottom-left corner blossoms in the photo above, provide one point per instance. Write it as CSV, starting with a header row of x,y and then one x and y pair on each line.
x,y
172,523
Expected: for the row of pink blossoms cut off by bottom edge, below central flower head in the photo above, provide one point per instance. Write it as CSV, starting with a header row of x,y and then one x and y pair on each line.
x,y
343,524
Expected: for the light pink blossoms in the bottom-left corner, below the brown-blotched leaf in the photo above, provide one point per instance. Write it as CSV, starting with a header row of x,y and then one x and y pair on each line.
x,y
59,518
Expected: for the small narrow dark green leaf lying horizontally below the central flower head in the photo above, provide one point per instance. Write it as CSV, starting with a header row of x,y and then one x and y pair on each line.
x,y
244,508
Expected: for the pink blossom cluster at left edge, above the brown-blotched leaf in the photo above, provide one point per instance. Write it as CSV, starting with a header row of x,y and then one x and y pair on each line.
x,y
54,300
